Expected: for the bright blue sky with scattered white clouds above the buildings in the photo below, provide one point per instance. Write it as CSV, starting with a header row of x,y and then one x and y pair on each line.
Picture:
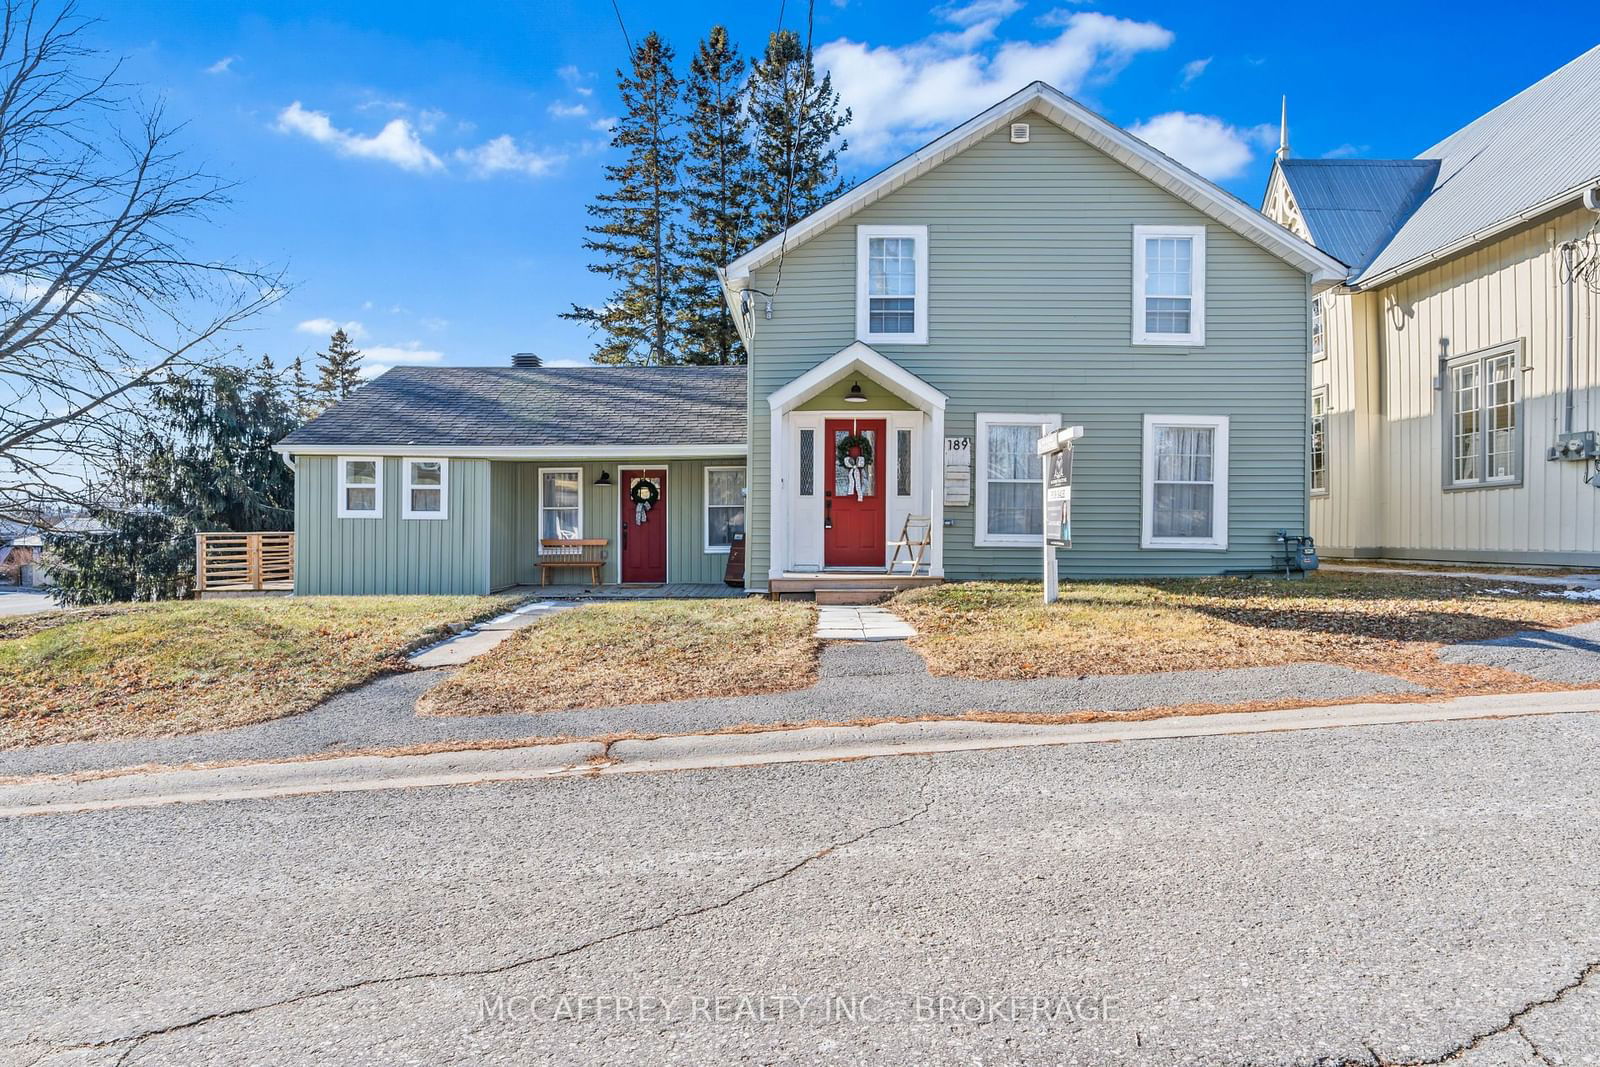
x,y
422,170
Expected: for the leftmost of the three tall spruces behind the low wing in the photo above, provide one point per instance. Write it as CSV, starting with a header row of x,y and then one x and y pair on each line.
x,y
636,222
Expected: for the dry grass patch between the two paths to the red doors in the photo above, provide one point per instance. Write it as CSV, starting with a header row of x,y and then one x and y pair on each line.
x,y
610,655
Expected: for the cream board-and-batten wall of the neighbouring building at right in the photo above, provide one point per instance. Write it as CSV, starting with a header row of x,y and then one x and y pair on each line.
x,y
1386,430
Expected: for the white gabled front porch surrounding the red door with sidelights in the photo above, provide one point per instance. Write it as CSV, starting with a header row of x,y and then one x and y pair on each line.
x,y
857,457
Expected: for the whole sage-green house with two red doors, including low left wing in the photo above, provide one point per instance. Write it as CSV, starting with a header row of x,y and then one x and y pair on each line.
x,y
908,345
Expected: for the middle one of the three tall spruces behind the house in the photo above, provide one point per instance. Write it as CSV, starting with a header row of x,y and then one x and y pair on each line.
x,y
716,198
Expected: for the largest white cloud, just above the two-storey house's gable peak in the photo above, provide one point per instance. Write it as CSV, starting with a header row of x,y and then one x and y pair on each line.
x,y
902,95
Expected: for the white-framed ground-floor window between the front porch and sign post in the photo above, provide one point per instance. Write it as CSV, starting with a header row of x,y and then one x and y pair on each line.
x,y
1010,479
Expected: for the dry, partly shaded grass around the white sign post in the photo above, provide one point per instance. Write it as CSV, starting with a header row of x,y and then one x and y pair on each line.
x,y
1383,623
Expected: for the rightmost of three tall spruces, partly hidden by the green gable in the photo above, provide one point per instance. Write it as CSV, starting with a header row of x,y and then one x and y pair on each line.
x,y
798,119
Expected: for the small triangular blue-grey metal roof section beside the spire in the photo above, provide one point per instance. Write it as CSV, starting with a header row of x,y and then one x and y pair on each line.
x,y
1354,207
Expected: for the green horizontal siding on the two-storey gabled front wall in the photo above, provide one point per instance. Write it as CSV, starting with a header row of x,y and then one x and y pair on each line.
x,y
1031,302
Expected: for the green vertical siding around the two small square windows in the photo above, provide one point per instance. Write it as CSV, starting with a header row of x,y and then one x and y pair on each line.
x,y
391,554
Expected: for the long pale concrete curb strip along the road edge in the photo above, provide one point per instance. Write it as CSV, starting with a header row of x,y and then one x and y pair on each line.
x,y
722,751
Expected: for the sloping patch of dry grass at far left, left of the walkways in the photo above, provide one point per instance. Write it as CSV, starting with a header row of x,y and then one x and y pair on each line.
x,y
177,668
